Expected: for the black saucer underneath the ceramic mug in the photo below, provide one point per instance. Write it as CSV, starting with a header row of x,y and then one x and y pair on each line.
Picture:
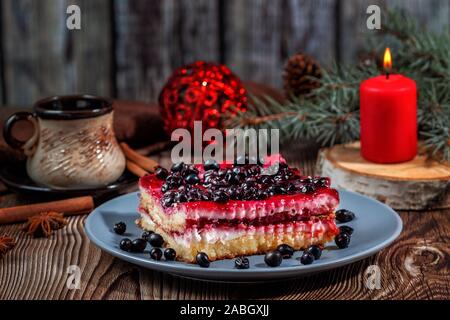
x,y
15,177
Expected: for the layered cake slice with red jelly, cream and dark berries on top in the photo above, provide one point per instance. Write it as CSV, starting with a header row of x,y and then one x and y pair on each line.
x,y
231,210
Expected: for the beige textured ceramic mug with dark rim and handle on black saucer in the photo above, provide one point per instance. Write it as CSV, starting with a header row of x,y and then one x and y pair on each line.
x,y
73,144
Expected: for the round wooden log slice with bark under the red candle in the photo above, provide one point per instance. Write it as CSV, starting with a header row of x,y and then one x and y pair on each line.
x,y
418,184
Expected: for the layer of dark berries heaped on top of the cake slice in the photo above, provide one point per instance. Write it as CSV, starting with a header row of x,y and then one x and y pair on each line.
x,y
238,181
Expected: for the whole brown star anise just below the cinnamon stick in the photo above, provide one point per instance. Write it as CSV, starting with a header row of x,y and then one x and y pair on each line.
x,y
43,224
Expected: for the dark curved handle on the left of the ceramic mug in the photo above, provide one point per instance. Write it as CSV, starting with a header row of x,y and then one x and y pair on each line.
x,y
27,146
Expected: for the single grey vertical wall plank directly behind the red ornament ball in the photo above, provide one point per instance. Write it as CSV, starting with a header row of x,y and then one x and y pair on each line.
x,y
154,37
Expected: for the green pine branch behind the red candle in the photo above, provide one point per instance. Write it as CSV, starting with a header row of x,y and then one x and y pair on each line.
x,y
330,113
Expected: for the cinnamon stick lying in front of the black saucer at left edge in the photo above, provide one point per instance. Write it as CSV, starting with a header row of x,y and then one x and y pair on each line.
x,y
69,207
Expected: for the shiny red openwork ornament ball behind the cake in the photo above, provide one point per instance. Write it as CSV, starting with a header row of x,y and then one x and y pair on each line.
x,y
200,91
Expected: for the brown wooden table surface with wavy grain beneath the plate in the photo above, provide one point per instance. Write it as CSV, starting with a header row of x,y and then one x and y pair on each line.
x,y
415,266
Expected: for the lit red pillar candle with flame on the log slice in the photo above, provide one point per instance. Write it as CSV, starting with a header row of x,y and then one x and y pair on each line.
x,y
388,112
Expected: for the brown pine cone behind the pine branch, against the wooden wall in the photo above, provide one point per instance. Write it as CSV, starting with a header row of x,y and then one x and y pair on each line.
x,y
297,73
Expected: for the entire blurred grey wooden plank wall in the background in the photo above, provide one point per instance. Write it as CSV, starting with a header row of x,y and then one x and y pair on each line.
x,y
127,48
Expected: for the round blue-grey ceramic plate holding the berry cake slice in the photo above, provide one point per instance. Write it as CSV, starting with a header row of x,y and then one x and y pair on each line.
x,y
376,226
